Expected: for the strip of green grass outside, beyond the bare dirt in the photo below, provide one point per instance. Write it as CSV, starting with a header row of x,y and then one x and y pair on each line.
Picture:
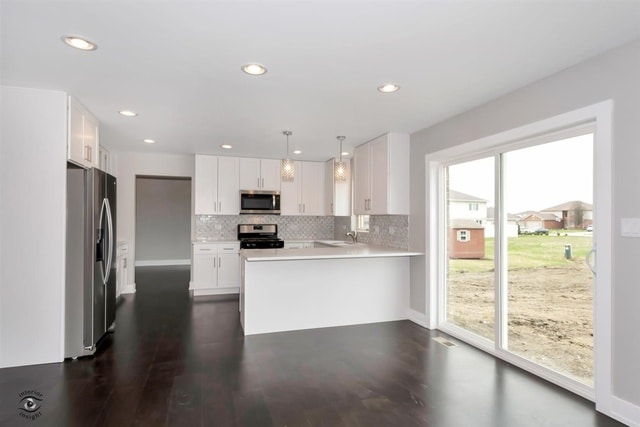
x,y
529,252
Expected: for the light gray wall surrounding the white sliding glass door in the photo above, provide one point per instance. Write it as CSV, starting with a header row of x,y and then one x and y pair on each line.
x,y
613,75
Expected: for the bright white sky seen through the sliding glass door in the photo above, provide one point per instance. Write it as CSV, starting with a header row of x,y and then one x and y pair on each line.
x,y
536,177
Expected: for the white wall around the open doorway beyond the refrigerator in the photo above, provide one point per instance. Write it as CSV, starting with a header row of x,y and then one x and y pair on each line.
x,y
131,165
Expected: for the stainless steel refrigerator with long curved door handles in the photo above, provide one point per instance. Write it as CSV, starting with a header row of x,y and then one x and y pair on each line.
x,y
90,297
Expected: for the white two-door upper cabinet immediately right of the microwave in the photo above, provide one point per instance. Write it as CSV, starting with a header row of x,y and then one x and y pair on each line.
x,y
305,194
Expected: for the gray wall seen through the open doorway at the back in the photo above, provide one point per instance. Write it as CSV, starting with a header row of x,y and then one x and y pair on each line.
x,y
163,219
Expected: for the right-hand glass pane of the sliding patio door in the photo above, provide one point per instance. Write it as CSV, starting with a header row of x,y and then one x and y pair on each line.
x,y
548,196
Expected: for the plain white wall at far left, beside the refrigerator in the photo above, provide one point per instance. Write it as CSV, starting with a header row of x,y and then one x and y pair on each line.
x,y
32,225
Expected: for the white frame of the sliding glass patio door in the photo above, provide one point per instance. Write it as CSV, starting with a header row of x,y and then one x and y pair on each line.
x,y
600,115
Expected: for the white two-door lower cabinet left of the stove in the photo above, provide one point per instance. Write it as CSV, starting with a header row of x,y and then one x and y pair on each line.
x,y
215,268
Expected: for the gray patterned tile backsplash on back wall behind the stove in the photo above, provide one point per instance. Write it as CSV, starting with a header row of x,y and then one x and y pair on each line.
x,y
225,227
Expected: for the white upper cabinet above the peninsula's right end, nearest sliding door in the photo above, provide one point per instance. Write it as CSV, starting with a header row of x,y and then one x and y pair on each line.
x,y
381,169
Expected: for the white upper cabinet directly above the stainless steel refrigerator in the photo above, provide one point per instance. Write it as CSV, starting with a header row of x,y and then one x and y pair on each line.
x,y
83,142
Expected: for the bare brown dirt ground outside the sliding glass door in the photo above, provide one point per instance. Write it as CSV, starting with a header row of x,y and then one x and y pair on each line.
x,y
550,314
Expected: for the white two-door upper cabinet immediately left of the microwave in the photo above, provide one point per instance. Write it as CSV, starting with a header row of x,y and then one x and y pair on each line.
x,y
217,185
